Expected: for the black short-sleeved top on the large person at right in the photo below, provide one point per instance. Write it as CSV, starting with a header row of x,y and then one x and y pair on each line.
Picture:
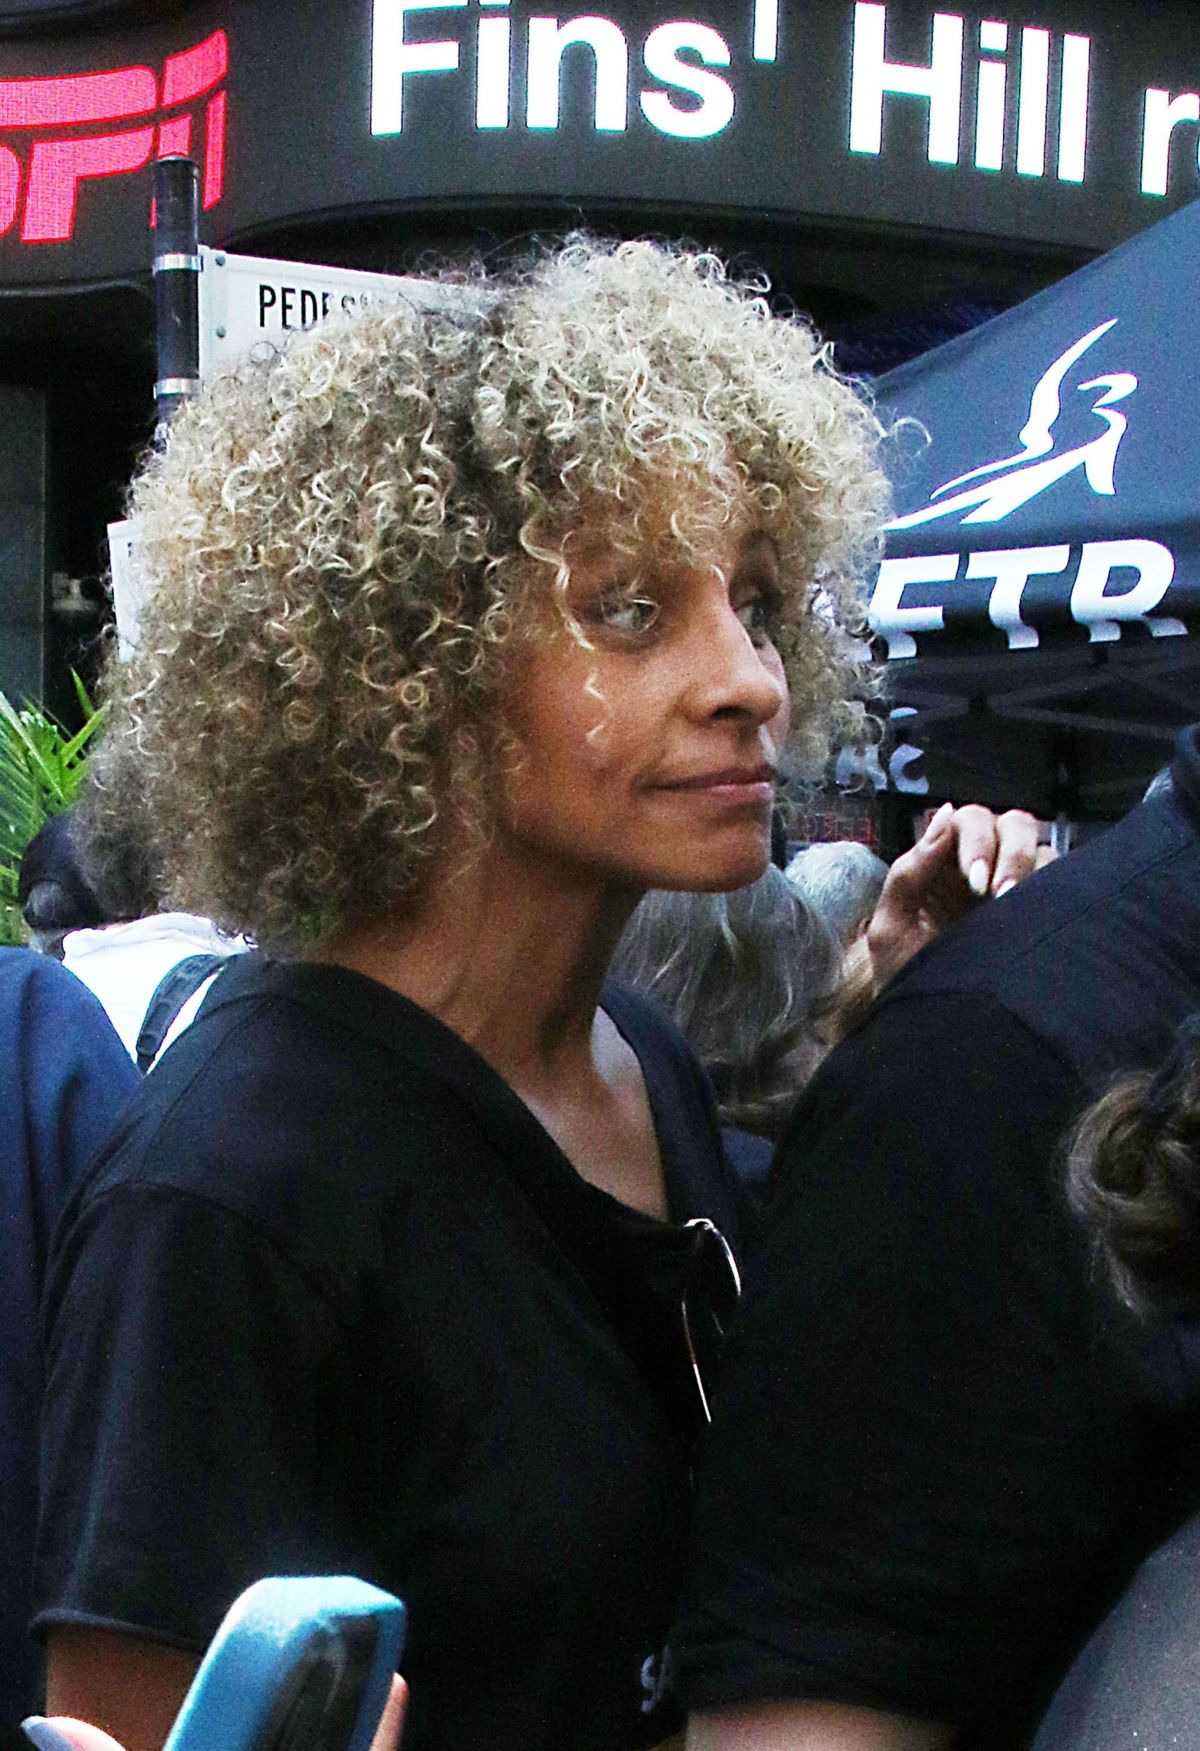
x,y
940,1445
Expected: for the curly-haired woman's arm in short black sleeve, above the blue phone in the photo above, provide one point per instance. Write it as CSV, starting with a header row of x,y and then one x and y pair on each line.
x,y
192,1421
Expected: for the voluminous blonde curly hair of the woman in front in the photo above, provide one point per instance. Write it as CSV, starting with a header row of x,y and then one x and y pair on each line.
x,y
339,545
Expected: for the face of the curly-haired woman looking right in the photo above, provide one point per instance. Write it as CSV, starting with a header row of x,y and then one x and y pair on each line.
x,y
649,761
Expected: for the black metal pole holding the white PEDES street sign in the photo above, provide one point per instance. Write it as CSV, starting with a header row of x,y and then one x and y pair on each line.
x,y
176,285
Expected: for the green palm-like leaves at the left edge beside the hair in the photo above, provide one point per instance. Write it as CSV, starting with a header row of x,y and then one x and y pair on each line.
x,y
41,771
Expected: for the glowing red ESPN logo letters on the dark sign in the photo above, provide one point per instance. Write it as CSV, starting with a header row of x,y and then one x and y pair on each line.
x,y
69,129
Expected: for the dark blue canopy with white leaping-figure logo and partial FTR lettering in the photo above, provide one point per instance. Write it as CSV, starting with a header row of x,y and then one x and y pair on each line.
x,y
1048,468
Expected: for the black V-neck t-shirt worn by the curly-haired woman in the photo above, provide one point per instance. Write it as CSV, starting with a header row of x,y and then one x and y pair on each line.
x,y
337,1304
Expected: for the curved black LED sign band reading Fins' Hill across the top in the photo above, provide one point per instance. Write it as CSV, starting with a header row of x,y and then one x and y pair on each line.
x,y
1066,123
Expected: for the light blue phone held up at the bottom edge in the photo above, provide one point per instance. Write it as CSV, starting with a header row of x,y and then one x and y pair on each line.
x,y
299,1664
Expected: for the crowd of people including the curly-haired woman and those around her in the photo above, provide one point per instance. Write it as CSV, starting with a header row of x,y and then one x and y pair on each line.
x,y
660,1269
